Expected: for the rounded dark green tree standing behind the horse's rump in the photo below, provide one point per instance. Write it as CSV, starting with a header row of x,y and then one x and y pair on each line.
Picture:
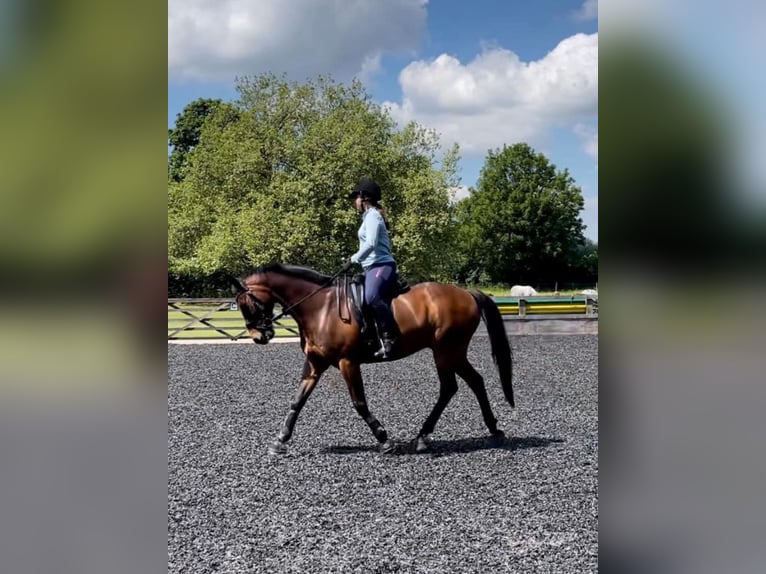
x,y
522,222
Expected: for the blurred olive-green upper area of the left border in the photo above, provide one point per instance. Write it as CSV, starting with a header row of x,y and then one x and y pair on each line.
x,y
83,109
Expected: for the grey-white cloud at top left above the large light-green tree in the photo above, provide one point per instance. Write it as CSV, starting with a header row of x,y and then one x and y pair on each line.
x,y
218,40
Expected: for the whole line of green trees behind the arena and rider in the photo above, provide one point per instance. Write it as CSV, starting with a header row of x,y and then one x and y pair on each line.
x,y
266,178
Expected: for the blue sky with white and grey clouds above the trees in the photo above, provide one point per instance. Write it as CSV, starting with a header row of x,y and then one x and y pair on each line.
x,y
482,73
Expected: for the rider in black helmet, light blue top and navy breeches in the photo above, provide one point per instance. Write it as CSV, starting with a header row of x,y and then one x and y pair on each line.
x,y
374,255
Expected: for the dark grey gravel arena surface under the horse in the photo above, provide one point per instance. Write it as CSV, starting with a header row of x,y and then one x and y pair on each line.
x,y
526,503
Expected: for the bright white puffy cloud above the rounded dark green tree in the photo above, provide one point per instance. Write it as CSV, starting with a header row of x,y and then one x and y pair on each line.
x,y
497,98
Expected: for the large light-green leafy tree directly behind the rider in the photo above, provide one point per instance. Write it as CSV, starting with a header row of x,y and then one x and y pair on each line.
x,y
272,183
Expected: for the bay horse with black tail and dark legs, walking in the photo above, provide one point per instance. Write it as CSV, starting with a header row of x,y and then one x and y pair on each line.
x,y
431,315
